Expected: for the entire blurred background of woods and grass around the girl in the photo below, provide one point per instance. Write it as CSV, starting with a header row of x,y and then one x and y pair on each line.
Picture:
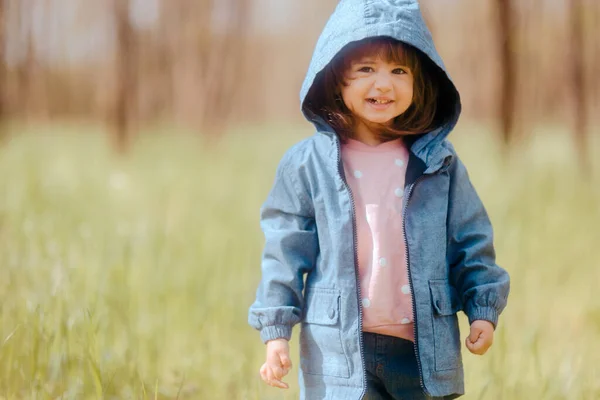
x,y
138,139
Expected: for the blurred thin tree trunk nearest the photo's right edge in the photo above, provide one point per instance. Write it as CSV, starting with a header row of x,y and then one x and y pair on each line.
x,y
579,85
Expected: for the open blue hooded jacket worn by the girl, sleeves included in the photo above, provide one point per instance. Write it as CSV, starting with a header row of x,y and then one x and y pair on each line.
x,y
309,272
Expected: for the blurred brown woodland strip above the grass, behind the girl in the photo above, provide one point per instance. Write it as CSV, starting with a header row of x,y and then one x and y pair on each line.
x,y
208,63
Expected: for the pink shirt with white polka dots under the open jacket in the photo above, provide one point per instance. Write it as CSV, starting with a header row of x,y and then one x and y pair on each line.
x,y
375,175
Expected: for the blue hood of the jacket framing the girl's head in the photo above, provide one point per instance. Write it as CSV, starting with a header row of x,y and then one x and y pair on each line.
x,y
355,20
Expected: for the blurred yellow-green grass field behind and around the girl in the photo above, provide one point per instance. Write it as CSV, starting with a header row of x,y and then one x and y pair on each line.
x,y
130,278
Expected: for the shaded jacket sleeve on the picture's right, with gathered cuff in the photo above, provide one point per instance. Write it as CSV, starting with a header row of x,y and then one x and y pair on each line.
x,y
482,285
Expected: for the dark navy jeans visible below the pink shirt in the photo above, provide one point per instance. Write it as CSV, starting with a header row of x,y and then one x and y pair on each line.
x,y
392,371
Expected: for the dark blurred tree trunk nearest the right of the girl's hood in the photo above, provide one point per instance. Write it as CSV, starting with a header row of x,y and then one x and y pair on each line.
x,y
508,70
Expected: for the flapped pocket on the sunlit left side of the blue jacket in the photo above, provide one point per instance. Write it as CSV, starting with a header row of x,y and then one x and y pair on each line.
x,y
321,348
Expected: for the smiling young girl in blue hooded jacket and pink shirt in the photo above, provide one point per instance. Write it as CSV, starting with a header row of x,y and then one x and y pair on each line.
x,y
375,237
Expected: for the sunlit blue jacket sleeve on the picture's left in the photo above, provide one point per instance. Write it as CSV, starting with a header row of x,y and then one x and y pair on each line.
x,y
291,248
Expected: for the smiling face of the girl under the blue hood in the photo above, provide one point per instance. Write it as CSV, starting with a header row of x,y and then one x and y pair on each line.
x,y
377,91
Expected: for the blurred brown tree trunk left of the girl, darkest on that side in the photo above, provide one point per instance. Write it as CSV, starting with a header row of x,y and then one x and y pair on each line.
x,y
126,87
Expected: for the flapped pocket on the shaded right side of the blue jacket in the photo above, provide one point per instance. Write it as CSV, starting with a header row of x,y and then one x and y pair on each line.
x,y
446,304
